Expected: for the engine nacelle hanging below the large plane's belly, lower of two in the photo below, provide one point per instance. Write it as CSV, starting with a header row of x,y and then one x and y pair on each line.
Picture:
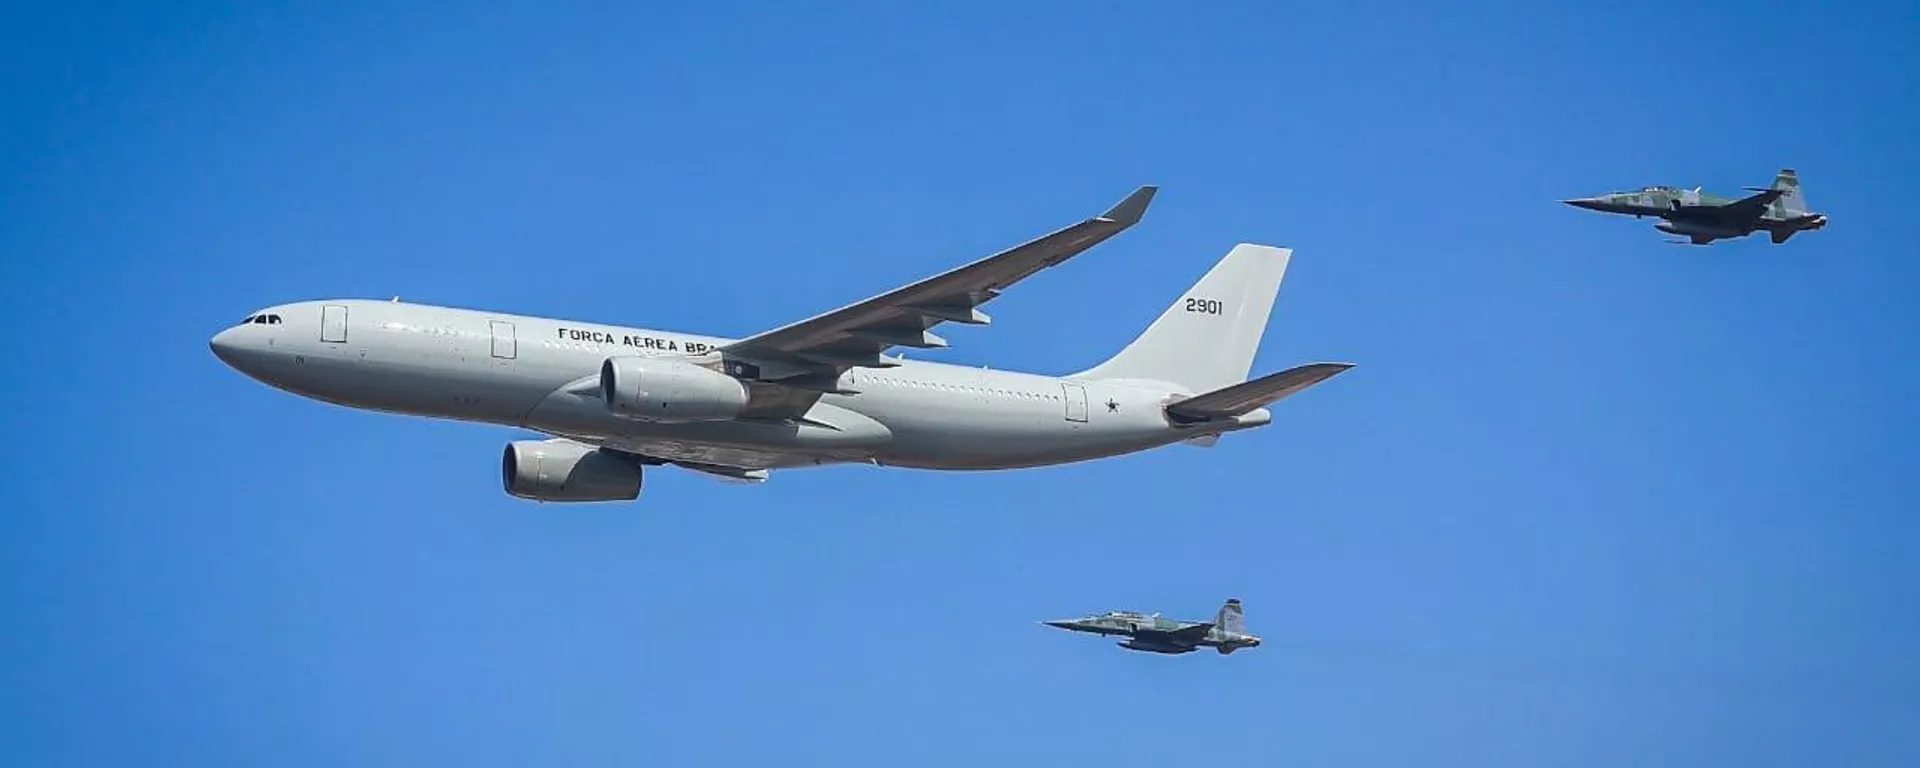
x,y
567,471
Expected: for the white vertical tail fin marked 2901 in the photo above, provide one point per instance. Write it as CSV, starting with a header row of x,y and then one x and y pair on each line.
x,y
1209,339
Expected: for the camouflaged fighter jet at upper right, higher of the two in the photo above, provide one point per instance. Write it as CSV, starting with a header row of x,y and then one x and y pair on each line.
x,y
1702,218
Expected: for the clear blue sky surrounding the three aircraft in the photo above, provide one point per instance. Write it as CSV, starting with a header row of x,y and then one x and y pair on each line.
x,y
1589,500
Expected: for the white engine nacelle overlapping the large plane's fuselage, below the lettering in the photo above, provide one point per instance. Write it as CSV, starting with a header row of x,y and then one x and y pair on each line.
x,y
669,391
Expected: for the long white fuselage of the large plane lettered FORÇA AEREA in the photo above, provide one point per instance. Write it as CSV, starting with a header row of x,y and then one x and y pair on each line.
x,y
542,375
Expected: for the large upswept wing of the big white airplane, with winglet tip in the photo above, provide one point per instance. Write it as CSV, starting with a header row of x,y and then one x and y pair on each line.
x,y
857,335
